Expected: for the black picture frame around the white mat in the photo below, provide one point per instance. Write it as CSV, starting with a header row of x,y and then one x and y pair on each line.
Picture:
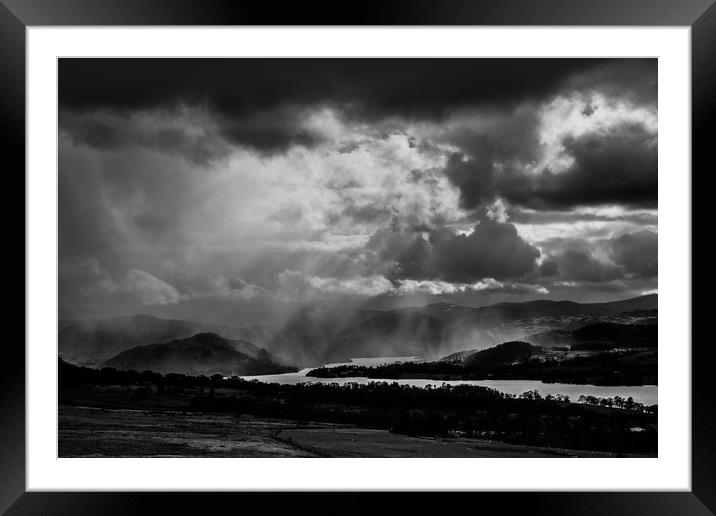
x,y
17,15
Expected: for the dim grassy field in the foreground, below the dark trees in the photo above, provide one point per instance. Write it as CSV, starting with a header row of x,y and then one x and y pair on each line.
x,y
121,432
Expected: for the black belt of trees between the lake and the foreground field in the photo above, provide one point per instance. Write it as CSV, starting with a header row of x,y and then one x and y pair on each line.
x,y
447,410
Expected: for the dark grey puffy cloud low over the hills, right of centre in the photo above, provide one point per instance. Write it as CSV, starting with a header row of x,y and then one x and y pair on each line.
x,y
492,250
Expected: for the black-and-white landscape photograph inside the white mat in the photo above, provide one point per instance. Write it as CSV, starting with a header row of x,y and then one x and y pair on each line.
x,y
357,257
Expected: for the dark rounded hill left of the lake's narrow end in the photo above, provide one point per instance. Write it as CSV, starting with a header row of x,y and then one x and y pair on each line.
x,y
203,353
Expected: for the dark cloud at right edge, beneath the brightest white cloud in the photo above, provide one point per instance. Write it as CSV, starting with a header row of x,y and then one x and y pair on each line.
x,y
616,167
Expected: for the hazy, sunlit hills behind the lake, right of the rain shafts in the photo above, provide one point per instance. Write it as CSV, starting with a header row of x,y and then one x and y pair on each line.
x,y
312,338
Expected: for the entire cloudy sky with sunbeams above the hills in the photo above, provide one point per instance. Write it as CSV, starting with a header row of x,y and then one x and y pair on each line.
x,y
215,187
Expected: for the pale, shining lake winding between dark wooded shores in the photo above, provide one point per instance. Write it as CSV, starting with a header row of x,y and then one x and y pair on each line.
x,y
646,394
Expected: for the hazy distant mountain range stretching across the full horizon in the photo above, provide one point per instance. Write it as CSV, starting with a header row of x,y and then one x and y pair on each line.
x,y
313,336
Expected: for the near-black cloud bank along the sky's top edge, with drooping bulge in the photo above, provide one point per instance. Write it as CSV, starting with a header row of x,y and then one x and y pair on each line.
x,y
255,101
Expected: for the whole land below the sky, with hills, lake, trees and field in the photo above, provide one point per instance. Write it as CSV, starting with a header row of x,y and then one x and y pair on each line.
x,y
571,381
